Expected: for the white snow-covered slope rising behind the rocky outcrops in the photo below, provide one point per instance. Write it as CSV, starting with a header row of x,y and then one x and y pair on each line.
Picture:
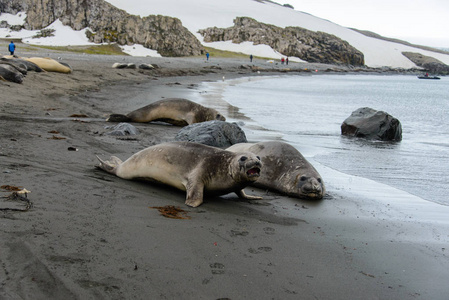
x,y
200,14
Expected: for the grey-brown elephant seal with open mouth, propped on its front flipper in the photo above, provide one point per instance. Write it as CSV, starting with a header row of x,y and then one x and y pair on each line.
x,y
194,168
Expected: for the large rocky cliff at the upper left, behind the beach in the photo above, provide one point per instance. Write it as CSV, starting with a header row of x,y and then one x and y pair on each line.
x,y
109,24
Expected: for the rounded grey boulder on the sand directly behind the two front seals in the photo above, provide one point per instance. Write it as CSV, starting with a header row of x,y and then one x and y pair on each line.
x,y
213,133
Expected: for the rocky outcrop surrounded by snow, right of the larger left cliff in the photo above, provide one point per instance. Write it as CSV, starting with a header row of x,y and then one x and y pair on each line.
x,y
308,45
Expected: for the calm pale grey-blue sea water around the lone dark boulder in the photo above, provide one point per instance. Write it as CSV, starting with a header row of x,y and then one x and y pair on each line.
x,y
307,111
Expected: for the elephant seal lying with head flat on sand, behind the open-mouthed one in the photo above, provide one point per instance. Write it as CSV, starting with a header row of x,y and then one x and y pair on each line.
x,y
285,170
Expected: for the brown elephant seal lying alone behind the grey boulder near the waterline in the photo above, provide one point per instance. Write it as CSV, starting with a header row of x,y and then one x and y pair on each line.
x,y
175,111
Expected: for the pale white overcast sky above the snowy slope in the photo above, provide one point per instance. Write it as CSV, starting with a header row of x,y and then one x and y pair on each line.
x,y
424,22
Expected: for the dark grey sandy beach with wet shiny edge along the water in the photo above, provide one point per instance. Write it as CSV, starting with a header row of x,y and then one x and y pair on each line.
x,y
90,235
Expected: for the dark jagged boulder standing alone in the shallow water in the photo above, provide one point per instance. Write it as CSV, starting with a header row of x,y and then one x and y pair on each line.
x,y
371,124
